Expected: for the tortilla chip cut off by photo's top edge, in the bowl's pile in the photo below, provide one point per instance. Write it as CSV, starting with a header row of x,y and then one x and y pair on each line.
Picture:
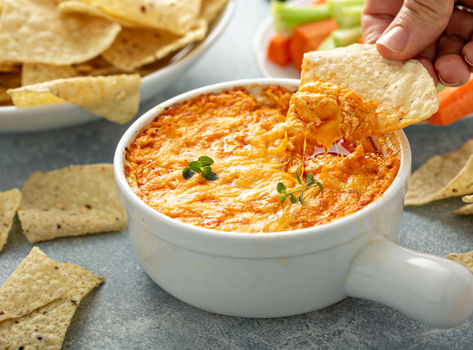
x,y
174,16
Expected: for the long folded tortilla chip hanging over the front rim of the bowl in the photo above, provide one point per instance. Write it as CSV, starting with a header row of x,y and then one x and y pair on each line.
x,y
115,98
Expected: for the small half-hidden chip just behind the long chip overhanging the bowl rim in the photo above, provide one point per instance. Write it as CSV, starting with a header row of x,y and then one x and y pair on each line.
x,y
33,73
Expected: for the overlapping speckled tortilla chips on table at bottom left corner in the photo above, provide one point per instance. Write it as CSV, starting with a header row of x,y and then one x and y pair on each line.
x,y
39,299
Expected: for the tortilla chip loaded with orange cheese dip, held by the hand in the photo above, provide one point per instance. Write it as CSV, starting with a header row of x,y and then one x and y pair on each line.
x,y
373,95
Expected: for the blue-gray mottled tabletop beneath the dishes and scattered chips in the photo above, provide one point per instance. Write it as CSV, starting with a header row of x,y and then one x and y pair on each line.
x,y
130,312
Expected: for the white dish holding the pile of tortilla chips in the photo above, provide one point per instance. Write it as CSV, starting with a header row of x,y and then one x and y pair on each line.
x,y
36,118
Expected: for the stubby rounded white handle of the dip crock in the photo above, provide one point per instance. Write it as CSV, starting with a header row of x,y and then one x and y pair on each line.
x,y
427,288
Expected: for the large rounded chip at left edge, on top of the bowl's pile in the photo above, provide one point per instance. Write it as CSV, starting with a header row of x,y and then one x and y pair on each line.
x,y
36,31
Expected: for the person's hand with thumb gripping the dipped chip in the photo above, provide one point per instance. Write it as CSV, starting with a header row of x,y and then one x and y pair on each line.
x,y
433,31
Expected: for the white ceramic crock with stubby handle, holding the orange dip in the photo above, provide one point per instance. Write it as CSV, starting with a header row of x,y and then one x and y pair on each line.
x,y
287,273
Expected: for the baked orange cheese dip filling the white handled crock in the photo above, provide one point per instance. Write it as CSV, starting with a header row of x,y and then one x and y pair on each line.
x,y
254,146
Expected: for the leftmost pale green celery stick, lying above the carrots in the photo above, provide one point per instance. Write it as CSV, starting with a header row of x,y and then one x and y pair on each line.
x,y
287,18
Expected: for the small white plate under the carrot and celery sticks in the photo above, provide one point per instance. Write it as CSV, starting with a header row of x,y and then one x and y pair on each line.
x,y
260,44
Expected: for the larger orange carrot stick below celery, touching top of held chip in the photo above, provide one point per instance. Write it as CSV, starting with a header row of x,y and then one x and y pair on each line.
x,y
308,37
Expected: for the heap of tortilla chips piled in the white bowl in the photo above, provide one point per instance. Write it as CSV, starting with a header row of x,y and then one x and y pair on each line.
x,y
92,53
